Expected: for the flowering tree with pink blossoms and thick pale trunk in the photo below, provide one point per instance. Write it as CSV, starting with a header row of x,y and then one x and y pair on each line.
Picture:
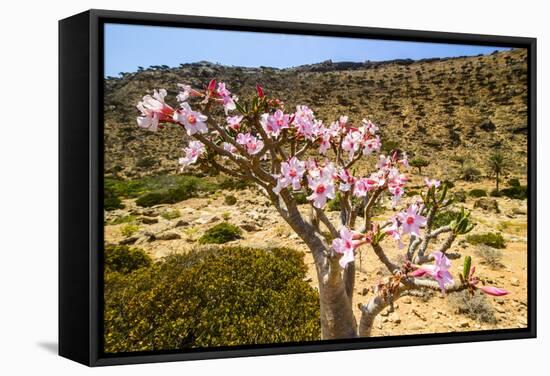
x,y
284,154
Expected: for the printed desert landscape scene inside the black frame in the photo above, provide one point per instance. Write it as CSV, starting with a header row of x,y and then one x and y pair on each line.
x,y
263,188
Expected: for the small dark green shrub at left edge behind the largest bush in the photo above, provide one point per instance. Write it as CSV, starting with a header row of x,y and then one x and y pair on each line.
x,y
123,259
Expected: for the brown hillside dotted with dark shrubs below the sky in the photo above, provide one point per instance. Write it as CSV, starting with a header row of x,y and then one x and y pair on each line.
x,y
432,108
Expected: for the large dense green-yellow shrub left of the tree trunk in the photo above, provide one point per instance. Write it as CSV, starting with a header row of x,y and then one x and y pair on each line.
x,y
211,297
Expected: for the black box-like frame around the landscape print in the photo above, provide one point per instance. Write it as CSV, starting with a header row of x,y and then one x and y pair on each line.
x,y
80,181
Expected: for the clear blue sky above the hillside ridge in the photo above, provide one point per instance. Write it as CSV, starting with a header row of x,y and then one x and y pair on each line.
x,y
130,46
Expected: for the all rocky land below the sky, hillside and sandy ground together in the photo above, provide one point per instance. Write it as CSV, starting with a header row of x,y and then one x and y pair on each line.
x,y
437,109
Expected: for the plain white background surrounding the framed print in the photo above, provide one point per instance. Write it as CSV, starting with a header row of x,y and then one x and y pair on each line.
x,y
28,184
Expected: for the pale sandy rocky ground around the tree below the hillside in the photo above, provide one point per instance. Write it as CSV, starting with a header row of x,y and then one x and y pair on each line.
x,y
262,227
